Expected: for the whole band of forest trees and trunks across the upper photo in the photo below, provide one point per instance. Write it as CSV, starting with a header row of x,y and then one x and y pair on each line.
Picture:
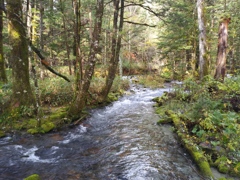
x,y
75,33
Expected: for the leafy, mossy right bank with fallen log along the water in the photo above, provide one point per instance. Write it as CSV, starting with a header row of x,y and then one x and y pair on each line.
x,y
207,120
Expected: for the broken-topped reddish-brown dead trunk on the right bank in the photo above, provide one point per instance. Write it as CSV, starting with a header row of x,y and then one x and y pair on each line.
x,y
222,47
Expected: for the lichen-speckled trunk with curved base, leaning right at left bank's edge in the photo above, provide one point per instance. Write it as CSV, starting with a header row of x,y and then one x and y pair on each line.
x,y
79,104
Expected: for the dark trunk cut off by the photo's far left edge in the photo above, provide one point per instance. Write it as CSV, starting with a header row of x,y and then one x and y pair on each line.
x,y
3,76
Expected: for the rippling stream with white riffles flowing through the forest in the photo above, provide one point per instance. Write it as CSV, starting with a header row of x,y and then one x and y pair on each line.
x,y
118,142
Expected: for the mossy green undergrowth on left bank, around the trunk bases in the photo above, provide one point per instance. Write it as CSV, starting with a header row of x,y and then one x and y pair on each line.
x,y
55,94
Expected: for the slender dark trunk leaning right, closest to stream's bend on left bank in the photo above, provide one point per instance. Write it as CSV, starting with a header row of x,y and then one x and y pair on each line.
x,y
116,46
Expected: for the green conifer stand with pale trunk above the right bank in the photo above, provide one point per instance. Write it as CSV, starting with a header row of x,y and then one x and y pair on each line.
x,y
190,49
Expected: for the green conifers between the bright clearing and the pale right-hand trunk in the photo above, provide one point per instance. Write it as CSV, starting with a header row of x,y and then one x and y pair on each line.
x,y
178,38
